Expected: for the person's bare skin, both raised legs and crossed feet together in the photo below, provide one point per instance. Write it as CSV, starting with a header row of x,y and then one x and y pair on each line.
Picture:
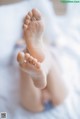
x,y
41,78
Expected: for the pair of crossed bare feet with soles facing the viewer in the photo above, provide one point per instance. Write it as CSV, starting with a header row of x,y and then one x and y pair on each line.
x,y
33,29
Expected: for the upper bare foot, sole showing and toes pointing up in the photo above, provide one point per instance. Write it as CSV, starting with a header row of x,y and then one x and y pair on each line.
x,y
33,34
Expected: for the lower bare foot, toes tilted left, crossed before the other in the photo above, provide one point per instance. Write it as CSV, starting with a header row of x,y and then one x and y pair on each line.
x,y
33,67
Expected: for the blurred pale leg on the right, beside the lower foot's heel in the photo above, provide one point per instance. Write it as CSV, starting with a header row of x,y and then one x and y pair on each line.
x,y
56,85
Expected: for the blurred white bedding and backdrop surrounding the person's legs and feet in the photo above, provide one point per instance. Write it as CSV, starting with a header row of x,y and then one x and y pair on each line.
x,y
62,31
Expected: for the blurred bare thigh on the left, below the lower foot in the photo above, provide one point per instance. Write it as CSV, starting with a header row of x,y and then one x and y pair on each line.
x,y
30,95
